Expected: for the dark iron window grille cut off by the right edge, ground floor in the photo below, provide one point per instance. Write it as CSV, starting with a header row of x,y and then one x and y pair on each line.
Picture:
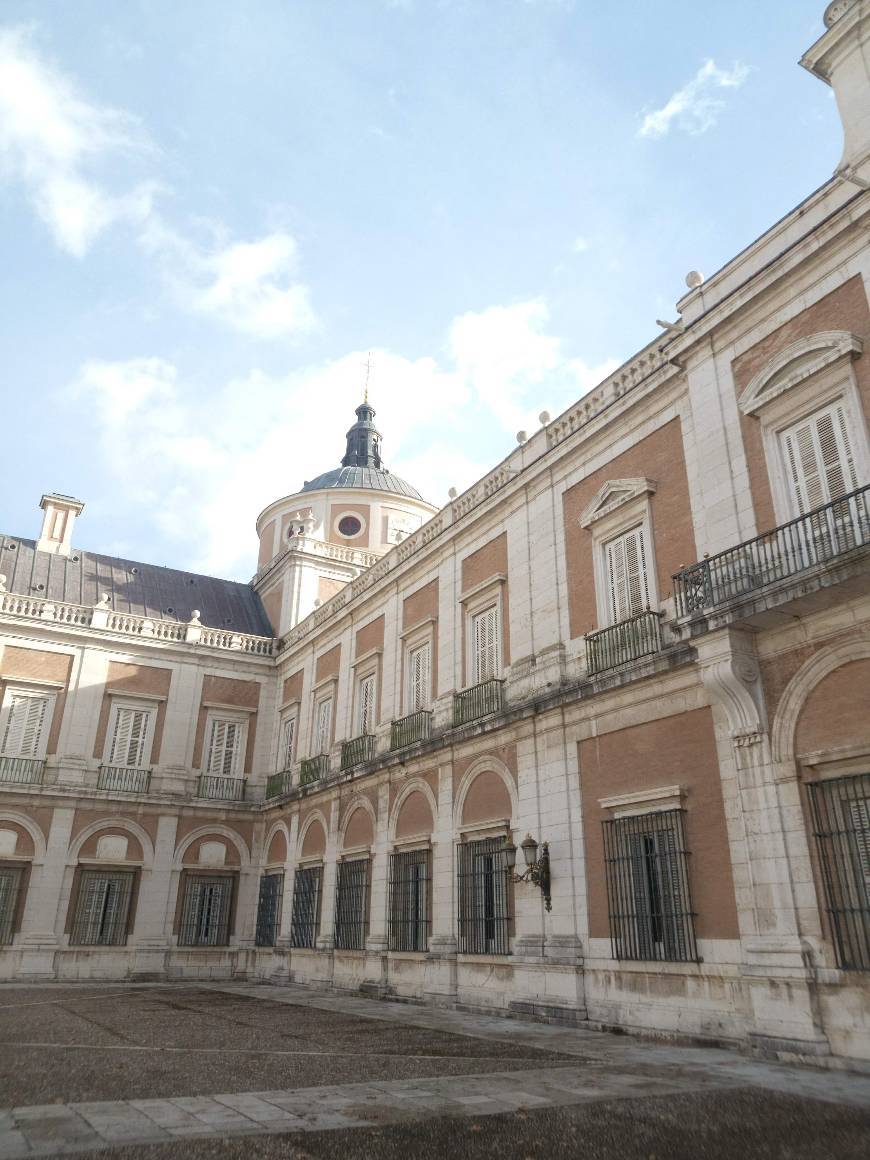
x,y
842,829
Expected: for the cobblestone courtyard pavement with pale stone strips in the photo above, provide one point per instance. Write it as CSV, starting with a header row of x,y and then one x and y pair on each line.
x,y
172,1071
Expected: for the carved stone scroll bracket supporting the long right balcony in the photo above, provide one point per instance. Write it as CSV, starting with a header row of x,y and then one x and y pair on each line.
x,y
730,672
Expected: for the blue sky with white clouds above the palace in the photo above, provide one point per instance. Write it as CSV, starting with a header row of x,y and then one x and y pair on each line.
x,y
212,212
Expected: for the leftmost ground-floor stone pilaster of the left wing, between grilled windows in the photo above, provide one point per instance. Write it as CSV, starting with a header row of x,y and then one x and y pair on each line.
x,y
43,924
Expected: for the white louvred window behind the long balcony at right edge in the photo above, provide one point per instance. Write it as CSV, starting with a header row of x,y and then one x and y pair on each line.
x,y
820,462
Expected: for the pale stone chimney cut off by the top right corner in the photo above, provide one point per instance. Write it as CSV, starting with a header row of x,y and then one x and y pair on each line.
x,y
842,59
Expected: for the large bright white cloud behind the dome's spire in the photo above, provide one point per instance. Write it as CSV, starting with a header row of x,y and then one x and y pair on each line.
x,y
202,475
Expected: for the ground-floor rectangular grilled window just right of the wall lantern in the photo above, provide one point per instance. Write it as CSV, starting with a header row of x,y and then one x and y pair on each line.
x,y
648,888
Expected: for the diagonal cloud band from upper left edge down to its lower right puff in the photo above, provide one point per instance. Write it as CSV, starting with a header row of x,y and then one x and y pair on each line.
x,y
64,149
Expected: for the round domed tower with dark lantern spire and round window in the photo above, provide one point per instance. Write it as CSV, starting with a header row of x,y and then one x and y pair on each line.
x,y
317,540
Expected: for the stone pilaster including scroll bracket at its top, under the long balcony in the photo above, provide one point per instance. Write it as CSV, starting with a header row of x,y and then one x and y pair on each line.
x,y
775,960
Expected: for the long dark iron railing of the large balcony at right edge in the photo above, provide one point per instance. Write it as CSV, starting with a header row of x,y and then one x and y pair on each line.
x,y
818,538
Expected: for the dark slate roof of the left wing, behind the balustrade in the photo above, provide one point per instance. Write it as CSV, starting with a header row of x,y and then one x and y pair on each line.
x,y
142,590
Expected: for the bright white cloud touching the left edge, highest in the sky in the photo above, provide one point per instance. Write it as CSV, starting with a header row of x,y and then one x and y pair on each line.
x,y
53,143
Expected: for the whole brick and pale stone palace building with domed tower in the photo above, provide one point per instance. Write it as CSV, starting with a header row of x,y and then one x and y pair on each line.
x,y
591,743
